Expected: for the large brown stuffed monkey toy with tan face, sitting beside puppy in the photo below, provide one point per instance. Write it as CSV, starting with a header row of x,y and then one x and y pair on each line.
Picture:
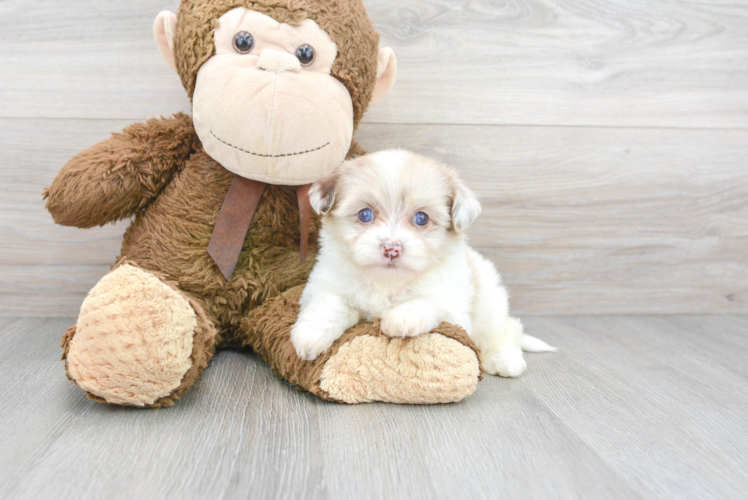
x,y
222,237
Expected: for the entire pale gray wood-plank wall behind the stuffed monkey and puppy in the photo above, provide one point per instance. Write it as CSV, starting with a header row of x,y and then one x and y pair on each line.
x,y
608,140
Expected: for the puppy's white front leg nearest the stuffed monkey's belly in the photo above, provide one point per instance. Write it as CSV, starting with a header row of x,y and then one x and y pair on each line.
x,y
322,321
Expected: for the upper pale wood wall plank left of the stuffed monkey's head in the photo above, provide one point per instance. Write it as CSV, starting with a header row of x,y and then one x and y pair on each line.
x,y
101,61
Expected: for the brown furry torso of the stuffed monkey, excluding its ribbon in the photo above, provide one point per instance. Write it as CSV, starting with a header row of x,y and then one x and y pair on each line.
x,y
172,234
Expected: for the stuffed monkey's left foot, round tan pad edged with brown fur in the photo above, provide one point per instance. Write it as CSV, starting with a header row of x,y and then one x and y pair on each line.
x,y
138,341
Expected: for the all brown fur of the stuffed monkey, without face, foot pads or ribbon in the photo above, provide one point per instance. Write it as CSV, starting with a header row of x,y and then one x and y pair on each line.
x,y
158,172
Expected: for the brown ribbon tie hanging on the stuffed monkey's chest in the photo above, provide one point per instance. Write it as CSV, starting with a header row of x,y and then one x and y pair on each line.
x,y
236,215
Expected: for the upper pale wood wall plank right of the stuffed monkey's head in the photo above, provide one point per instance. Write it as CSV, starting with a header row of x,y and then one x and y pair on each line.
x,y
554,62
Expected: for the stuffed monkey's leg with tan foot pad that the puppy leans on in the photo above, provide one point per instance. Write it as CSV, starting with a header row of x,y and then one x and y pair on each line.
x,y
364,365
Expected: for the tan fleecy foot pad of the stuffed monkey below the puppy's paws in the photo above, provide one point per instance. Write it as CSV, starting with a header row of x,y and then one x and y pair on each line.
x,y
426,369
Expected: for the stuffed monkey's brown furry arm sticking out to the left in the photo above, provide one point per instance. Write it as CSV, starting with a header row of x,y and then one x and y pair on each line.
x,y
120,176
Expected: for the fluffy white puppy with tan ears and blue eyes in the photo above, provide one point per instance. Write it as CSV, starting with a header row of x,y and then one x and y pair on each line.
x,y
392,247
